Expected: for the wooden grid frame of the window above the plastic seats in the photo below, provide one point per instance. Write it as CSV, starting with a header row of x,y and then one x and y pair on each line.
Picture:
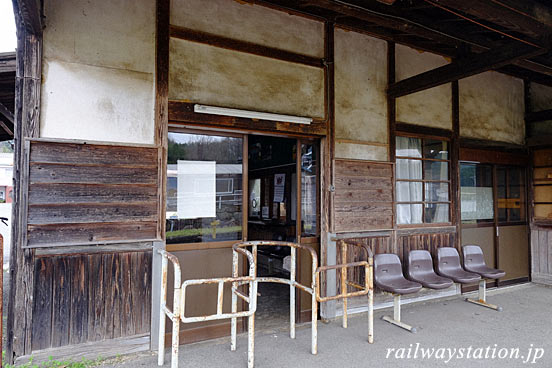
x,y
423,180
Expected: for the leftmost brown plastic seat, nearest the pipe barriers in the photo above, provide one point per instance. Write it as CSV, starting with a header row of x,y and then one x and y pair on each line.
x,y
389,277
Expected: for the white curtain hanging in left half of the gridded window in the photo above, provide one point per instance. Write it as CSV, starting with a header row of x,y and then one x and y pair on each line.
x,y
409,191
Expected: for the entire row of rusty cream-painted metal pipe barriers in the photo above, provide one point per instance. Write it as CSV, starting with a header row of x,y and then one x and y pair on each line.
x,y
177,314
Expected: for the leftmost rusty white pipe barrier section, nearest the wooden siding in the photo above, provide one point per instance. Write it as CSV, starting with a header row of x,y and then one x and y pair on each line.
x,y
177,314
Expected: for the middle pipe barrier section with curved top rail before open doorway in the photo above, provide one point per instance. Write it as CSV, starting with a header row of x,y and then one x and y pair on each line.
x,y
293,284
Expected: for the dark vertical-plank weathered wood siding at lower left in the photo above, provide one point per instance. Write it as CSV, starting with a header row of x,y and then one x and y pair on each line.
x,y
90,297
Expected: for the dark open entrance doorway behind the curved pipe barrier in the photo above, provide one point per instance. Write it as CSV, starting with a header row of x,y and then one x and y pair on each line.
x,y
283,181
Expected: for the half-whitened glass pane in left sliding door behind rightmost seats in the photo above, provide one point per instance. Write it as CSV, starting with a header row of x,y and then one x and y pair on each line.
x,y
476,193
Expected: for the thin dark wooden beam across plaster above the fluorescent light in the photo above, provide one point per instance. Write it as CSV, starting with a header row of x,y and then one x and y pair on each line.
x,y
244,46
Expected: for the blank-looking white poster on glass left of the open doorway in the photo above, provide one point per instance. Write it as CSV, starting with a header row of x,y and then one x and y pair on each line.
x,y
196,188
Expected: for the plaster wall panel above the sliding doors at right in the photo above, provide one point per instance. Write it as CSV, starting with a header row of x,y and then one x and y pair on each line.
x,y
492,107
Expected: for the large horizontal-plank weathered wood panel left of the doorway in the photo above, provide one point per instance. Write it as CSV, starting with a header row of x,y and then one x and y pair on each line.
x,y
90,193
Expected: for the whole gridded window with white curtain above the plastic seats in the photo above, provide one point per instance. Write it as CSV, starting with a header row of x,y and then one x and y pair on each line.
x,y
422,181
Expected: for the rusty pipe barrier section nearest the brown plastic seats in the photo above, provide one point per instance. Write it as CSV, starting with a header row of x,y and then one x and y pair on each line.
x,y
366,289
